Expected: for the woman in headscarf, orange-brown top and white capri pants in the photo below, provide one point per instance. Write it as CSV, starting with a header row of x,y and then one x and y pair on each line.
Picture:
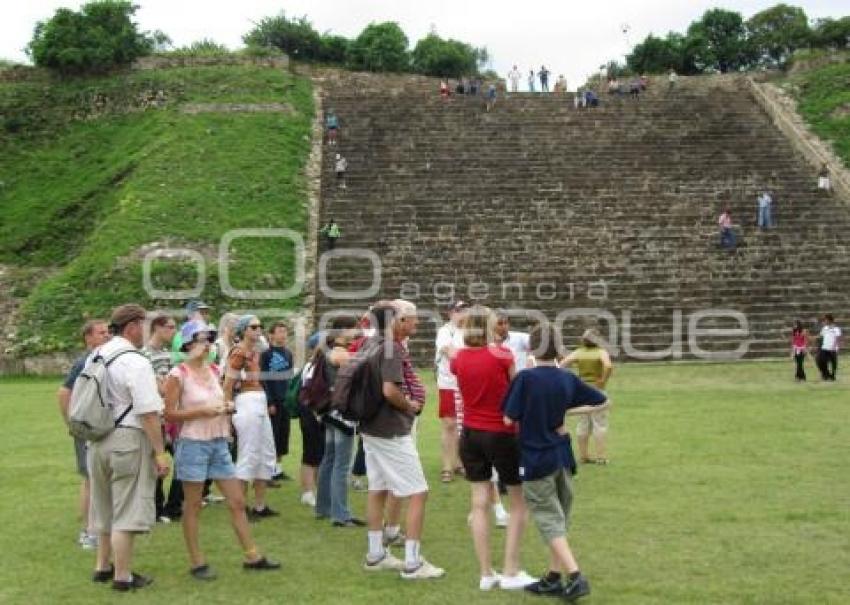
x,y
255,452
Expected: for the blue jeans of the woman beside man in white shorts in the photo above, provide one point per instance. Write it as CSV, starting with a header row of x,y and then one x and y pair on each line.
x,y
332,496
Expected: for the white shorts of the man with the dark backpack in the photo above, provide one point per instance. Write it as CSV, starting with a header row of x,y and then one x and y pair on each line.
x,y
393,465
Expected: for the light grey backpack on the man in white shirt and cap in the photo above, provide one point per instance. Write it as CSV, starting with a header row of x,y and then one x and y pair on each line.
x,y
90,415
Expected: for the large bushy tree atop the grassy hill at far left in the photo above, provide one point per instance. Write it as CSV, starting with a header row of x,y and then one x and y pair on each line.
x,y
98,37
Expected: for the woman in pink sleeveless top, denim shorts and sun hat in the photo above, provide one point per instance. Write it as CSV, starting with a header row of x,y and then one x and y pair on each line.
x,y
194,399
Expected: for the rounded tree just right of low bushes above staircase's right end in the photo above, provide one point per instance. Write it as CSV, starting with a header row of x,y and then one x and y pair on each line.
x,y
718,41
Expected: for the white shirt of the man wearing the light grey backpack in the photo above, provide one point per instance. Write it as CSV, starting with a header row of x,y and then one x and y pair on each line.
x,y
130,379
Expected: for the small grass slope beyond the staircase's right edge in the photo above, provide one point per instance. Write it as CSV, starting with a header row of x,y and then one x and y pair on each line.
x,y
824,102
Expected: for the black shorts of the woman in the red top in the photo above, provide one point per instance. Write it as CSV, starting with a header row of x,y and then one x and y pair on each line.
x,y
482,451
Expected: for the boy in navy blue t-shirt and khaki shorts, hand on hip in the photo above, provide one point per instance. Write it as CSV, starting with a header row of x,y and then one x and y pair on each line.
x,y
538,399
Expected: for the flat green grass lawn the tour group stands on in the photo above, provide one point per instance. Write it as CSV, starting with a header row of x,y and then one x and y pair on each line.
x,y
728,484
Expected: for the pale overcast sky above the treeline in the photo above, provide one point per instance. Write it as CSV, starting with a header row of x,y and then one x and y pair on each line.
x,y
570,37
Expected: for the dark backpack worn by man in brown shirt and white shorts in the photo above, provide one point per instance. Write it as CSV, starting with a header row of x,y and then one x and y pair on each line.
x,y
358,392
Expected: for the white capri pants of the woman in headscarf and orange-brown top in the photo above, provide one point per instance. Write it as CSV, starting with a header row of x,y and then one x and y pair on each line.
x,y
256,457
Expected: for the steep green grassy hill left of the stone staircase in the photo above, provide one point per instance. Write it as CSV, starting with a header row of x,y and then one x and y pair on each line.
x,y
96,171
